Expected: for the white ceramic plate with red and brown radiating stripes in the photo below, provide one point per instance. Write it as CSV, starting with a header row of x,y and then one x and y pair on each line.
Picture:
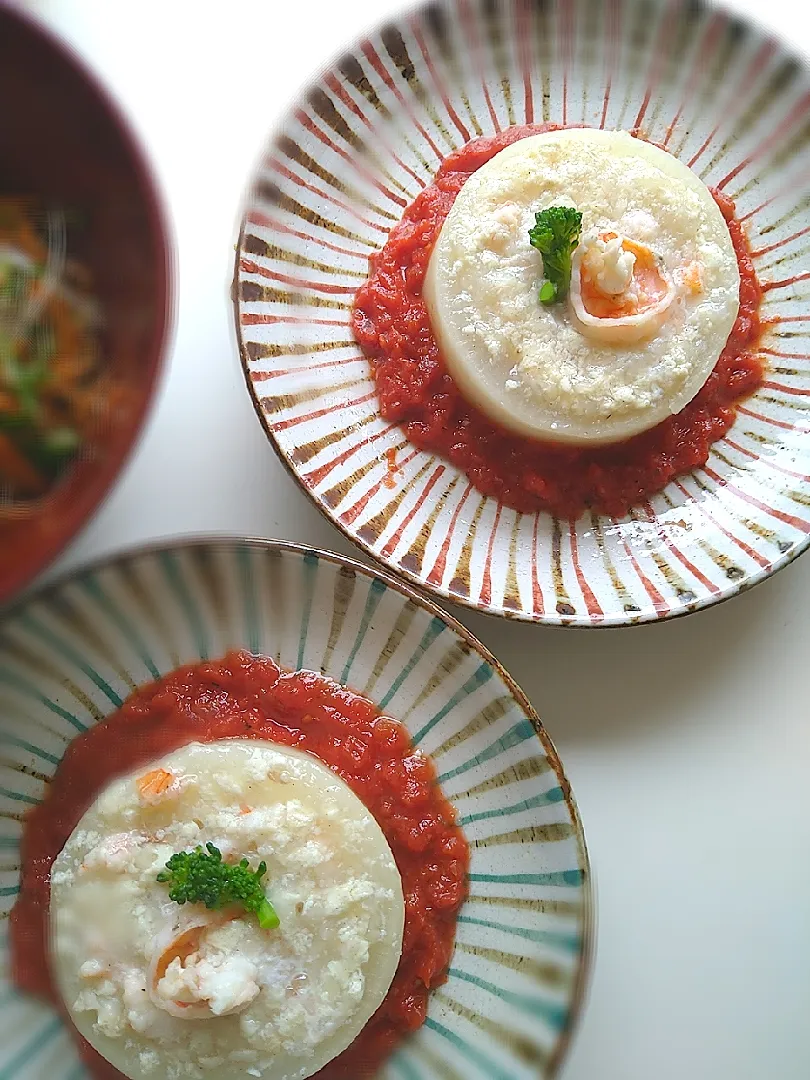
x,y
359,146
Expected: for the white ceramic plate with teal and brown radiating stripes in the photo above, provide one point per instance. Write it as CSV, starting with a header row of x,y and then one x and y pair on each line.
x,y
70,656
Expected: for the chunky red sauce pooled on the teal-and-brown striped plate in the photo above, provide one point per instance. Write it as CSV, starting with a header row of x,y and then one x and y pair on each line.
x,y
250,697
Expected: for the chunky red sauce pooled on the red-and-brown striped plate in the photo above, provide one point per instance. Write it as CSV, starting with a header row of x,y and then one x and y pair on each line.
x,y
393,327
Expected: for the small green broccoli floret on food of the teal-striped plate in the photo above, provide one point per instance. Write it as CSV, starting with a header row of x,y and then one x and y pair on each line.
x,y
197,877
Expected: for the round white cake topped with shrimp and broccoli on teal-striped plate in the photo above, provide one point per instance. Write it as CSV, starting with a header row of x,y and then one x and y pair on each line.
x,y
234,910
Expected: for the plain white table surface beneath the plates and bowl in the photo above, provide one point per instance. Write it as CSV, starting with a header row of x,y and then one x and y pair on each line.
x,y
687,745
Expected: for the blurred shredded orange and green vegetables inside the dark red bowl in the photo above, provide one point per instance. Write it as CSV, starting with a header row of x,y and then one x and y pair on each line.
x,y
49,353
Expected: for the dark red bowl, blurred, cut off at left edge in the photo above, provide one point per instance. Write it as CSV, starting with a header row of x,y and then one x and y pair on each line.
x,y
65,142
